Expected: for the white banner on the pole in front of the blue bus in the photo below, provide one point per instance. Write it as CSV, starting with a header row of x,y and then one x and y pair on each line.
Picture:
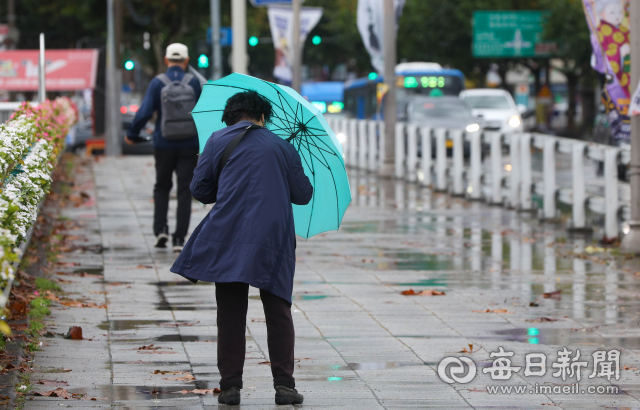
x,y
371,27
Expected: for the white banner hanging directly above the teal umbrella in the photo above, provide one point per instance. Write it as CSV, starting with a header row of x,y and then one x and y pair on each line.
x,y
281,23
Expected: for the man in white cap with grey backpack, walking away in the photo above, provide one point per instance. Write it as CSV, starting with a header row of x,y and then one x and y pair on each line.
x,y
172,96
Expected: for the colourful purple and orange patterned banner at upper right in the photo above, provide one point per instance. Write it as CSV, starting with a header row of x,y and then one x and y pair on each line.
x,y
609,25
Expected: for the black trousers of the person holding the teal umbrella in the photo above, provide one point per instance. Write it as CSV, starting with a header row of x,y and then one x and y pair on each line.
x,y
232,300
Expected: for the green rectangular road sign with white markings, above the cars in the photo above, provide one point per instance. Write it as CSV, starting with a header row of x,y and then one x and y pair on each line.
x,y
510,34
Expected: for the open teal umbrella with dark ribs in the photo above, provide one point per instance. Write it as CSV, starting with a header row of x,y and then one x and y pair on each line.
x,y
303,125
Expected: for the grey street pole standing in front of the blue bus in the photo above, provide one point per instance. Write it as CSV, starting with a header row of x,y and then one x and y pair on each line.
x,y
388,167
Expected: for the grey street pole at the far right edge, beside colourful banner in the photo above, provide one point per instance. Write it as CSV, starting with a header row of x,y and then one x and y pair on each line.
x,y
631,241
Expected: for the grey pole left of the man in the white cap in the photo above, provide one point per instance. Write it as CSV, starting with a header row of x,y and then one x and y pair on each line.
x,y
112,125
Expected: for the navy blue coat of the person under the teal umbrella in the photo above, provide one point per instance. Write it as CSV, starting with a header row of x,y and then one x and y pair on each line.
x,y
249,235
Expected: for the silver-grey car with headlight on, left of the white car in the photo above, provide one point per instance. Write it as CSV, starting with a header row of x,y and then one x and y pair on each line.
x,y
442,112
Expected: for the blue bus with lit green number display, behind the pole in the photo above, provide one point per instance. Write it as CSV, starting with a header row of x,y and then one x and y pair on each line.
x,y
360,95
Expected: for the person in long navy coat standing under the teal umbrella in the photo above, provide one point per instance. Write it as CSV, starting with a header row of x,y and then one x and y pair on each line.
x,y
248,238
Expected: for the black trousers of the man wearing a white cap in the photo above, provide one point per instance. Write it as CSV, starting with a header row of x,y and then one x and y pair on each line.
x,y
183,161
